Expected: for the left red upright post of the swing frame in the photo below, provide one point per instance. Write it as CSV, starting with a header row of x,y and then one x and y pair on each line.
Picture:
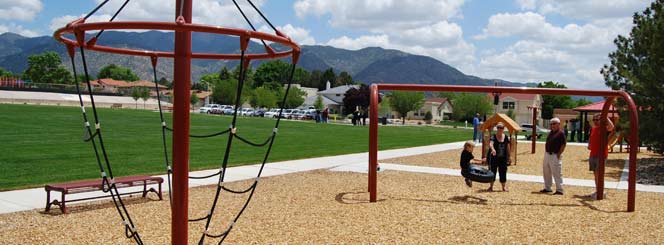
x,y
373,143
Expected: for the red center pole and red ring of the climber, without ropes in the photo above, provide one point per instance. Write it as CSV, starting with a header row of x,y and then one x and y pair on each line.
x,y
182,55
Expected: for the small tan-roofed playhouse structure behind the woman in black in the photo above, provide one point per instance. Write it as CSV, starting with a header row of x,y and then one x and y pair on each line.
x,y
513,130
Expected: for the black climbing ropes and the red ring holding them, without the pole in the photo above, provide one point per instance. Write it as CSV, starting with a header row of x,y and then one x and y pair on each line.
x,y
93,133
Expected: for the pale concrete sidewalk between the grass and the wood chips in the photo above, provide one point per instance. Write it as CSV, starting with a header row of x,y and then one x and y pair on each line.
x,y
27,199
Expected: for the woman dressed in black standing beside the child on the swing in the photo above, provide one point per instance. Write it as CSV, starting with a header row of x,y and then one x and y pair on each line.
x,y
500,155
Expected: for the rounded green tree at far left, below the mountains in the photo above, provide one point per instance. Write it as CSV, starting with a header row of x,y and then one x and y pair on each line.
x,y
47,68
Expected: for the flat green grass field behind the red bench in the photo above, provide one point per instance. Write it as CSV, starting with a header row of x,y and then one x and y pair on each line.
x,y
43,144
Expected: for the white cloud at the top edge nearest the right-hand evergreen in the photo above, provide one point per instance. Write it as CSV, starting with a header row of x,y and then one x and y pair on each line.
x,y
587,9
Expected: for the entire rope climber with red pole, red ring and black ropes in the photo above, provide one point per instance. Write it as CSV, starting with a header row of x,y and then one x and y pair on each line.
x,y
182,27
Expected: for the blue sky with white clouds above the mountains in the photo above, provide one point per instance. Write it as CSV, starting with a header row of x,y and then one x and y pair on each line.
x,y
566,41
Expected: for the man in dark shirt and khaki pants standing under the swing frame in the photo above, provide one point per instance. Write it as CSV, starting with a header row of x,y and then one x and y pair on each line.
x,y
553,164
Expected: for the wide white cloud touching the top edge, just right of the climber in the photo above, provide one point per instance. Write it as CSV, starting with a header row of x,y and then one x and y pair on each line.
x,y
380,16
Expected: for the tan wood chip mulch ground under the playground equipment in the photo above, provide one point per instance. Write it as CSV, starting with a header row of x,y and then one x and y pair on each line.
x,y
322,207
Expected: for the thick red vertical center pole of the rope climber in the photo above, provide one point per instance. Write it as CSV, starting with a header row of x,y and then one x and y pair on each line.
x,y
182,85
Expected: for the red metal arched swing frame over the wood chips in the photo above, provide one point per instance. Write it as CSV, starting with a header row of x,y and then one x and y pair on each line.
x,y
610,94
